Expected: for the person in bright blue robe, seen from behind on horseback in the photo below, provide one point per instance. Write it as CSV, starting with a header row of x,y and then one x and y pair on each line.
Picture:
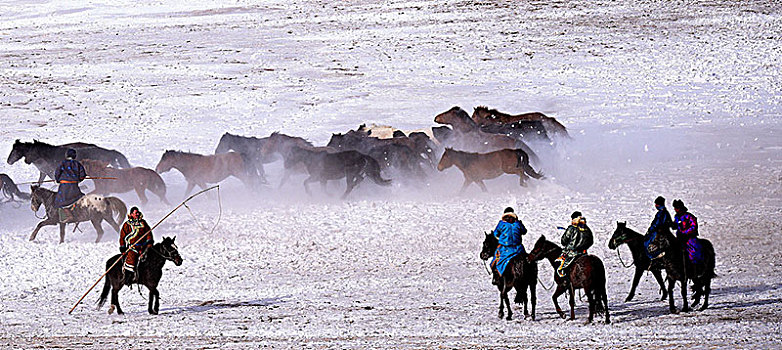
x,y
508,232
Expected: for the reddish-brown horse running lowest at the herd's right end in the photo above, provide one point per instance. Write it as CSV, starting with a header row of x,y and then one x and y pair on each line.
x,y
477,167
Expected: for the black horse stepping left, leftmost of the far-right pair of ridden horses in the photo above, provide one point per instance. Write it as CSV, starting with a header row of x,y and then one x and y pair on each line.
x,y
634,241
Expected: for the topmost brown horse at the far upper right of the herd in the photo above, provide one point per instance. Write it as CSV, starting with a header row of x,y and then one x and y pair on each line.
x,y
526,122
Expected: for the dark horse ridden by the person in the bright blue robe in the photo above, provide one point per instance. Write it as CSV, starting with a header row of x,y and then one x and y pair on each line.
x,y
519,274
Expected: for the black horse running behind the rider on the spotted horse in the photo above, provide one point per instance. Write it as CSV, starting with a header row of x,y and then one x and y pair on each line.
x,y
48,157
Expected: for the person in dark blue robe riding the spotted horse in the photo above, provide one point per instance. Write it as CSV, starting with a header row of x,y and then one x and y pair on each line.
x,y
68,175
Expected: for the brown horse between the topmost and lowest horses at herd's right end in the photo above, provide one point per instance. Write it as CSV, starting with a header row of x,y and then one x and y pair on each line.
x,y
467,135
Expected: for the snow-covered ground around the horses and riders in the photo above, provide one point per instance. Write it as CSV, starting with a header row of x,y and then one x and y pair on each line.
x,y
678,99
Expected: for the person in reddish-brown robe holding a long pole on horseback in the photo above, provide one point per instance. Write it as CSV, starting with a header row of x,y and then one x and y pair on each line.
x,y
134,239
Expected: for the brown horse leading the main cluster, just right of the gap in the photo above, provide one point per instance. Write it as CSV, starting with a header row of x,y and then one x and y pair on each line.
x,y
205,169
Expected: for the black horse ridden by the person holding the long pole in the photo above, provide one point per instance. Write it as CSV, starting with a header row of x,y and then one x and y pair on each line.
x,y
150,270
